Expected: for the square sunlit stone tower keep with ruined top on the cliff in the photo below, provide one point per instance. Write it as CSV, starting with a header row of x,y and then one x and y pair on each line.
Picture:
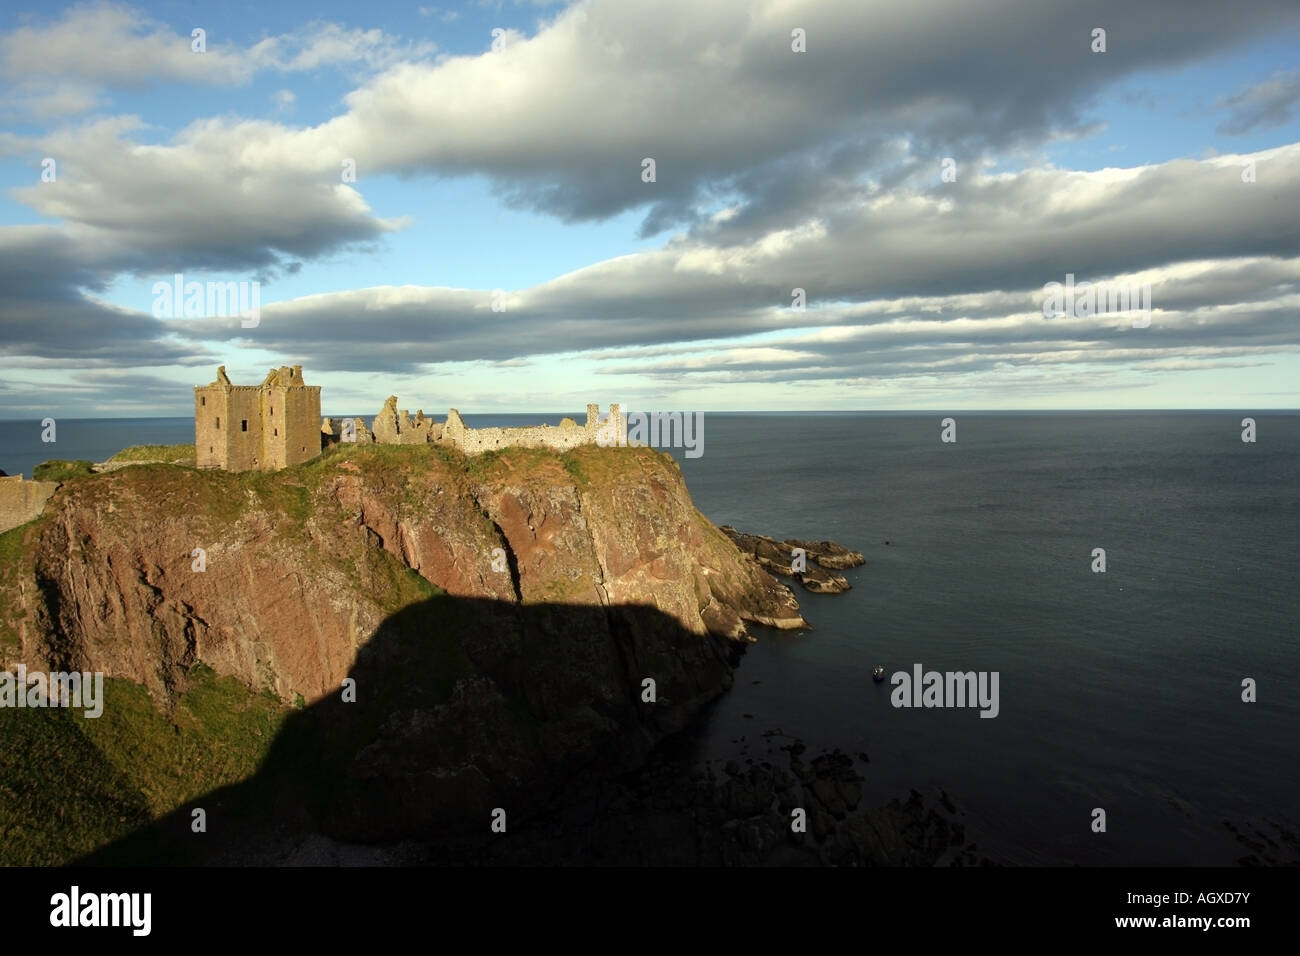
x,y
258,427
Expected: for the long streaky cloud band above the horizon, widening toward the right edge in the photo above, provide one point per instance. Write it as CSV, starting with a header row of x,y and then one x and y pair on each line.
x,y
896,284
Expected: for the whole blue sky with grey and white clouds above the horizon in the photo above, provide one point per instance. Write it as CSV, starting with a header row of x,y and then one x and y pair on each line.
x,y
506,207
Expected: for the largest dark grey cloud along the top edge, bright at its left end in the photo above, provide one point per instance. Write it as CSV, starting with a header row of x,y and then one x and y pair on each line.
x,y
561,122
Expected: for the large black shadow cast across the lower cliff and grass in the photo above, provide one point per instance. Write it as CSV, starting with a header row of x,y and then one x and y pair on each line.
x,y
462,707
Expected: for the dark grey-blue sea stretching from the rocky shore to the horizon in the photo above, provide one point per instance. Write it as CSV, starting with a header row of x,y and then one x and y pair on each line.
x,y
1119,691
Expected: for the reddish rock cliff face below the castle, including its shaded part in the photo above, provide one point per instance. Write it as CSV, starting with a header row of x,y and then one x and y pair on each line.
x,y
505,609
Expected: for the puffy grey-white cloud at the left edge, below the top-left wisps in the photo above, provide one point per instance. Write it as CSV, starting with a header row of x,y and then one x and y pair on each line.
x,y
203,202
